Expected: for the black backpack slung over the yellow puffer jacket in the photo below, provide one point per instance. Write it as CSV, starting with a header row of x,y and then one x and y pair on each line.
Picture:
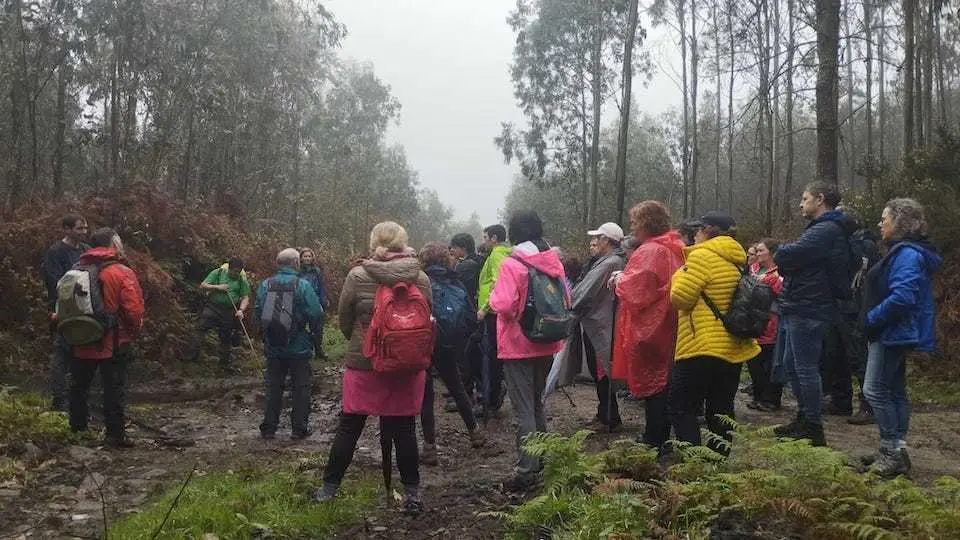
x,y
750,306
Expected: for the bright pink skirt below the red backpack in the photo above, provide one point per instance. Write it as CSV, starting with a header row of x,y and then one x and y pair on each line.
x,y
380,394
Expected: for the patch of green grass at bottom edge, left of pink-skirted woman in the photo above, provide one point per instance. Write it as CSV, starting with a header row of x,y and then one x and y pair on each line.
x,y
250,504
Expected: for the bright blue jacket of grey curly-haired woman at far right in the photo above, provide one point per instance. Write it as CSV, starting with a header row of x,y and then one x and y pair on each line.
x,y
900,297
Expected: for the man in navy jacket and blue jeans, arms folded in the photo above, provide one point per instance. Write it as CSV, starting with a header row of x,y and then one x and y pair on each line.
x,y
816,272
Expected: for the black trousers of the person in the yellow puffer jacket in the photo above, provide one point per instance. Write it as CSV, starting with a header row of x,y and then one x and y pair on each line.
x,y
694,380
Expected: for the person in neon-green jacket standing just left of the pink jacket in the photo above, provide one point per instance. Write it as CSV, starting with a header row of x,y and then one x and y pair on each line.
x,y
495,239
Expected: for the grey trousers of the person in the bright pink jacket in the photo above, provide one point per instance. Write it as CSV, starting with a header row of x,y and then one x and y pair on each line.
x,y
526,380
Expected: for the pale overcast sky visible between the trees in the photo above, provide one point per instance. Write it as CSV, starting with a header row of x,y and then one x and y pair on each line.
x,y
447,62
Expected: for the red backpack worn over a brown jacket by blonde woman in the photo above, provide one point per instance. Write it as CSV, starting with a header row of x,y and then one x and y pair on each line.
x,y
400,336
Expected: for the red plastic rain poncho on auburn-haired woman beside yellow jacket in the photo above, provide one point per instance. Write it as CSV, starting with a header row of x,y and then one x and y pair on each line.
x,y
646,328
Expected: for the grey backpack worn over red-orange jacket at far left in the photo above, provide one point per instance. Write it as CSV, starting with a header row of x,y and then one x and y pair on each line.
x,y
81,317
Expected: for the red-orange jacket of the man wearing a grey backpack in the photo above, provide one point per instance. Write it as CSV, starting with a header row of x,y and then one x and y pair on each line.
x,y
122,296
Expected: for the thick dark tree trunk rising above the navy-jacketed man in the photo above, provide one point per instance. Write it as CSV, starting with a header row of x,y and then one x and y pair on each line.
x,y
828,43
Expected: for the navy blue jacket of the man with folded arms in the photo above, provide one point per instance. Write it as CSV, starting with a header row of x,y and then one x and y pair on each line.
x,y
816,268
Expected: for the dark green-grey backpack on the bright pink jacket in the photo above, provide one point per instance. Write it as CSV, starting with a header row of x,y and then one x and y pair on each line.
x,y
548,311
